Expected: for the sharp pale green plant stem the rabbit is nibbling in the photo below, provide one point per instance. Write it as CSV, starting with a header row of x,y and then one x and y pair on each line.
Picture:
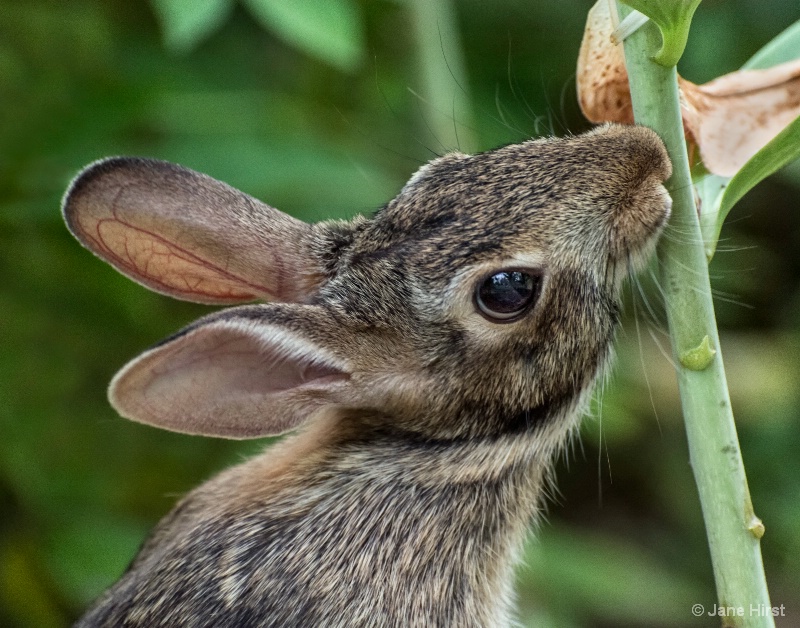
x,y
733,529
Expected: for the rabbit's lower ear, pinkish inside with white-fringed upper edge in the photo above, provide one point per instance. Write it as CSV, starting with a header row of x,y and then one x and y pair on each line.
x,y
230,375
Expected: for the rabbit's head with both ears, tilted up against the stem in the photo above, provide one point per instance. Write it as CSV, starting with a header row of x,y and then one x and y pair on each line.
x,y
480,301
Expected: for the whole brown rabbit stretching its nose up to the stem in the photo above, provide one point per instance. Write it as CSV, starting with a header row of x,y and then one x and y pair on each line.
x,y
430,361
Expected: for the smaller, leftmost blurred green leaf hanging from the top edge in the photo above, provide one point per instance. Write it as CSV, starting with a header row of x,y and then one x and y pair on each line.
x,y
186,23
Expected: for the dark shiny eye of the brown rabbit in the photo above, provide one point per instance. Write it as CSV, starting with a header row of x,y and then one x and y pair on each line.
x,y
506,295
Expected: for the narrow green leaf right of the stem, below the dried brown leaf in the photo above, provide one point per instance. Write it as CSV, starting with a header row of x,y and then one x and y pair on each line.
x,y
719,196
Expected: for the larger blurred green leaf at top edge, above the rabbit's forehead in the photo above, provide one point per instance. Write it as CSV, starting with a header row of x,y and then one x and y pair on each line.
x,y
331,30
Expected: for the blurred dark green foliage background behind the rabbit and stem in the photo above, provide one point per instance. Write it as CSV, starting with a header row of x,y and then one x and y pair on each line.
x,y
313,107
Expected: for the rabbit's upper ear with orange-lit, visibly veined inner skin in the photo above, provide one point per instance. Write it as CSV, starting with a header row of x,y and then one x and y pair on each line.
x,y
187,235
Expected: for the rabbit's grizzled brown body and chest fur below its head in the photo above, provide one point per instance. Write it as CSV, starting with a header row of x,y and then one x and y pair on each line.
x,y
344,538
